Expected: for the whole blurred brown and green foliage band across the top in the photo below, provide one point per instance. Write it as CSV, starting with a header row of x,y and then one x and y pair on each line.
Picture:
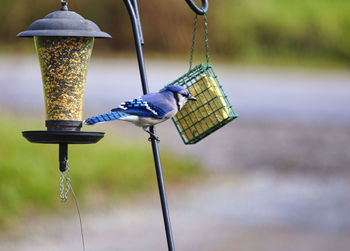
x,y
238,29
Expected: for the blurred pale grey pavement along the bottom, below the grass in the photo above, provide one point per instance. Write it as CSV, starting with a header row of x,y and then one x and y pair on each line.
x,y
225,213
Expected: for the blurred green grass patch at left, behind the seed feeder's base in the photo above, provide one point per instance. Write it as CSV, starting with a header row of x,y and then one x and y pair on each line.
x,y
101,174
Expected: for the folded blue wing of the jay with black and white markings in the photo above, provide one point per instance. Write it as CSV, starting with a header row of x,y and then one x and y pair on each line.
x,y
140,107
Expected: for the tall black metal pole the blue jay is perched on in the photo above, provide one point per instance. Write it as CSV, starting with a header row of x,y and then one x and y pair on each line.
x,y
136,25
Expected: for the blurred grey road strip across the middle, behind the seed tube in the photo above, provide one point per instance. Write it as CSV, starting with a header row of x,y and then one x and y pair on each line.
x,y
256,93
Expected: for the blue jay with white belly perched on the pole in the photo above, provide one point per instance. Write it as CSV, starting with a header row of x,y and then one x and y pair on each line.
x,y
148,110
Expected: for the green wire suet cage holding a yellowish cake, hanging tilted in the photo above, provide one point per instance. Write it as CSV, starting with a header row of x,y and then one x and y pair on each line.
x,y
211,111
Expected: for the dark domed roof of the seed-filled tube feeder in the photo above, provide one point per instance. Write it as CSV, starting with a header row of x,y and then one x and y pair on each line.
x,y
64,23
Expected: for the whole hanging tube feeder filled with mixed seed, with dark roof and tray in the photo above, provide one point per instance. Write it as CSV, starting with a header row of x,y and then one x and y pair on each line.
x,y
63,41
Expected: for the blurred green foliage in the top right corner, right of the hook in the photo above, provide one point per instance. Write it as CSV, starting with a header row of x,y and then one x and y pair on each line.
x,y
265,29
